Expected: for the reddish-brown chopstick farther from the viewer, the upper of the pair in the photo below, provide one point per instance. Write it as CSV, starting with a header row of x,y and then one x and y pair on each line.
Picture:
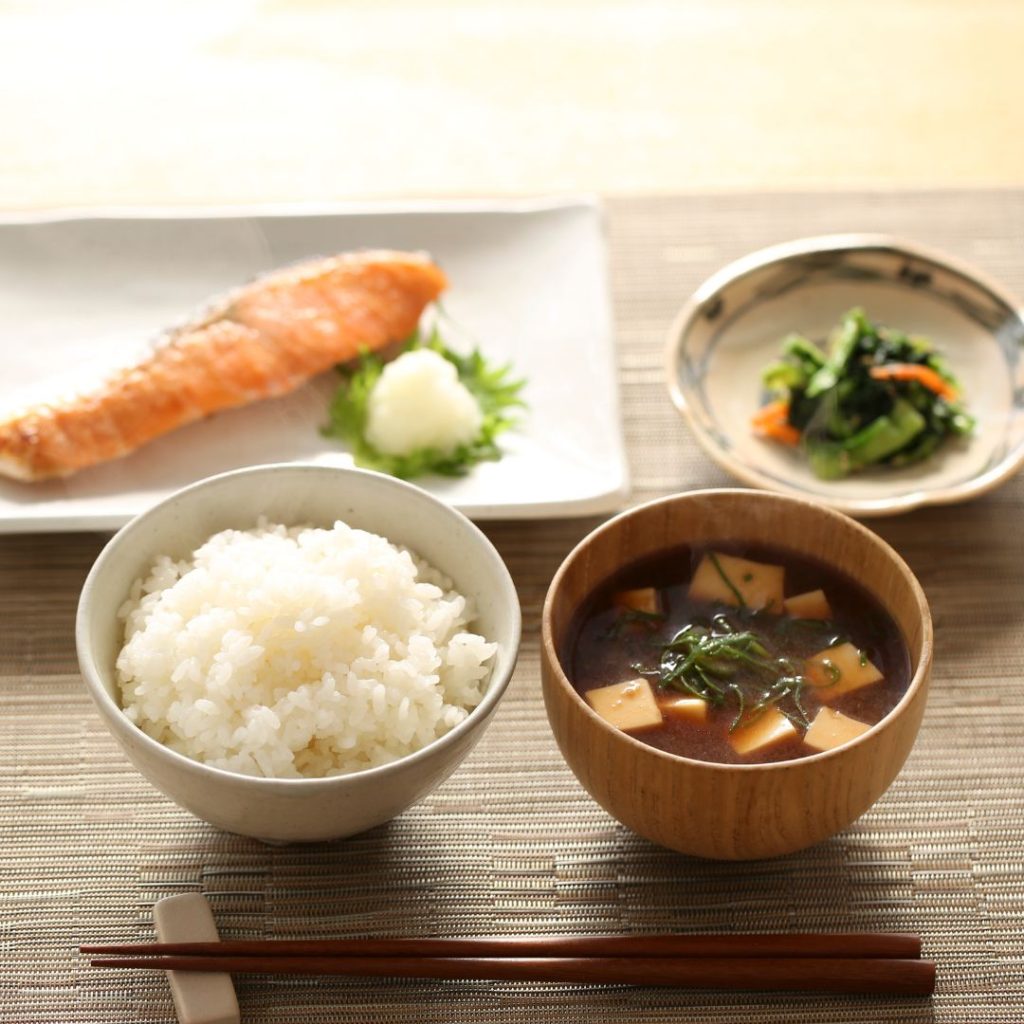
x,y
848,947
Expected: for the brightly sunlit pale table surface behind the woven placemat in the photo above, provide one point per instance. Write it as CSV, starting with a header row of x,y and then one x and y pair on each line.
x,y
259,101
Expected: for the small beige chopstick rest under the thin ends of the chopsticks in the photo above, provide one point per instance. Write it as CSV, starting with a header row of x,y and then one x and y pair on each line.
x,y
199,998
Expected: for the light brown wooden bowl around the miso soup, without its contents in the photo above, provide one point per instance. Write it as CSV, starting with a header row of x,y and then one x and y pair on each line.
x,y
734,813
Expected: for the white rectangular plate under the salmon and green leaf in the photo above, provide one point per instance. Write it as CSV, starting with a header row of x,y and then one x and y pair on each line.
x,y
529,284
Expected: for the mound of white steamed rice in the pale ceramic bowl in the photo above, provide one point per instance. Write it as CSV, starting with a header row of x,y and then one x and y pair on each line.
x,y
291,653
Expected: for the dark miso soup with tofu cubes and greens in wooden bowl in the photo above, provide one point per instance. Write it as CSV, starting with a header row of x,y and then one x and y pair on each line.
x,y
741,655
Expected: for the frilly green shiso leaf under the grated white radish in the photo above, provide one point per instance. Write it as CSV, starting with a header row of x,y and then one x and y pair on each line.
x,y
494,388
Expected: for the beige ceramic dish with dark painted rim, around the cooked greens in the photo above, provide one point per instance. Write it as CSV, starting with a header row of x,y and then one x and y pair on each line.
x,y
731,330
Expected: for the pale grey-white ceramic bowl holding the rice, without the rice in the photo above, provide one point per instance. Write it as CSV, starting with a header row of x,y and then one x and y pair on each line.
x,y
297,809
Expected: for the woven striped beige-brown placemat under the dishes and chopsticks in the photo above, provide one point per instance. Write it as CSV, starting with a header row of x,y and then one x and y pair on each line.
x,y
511,844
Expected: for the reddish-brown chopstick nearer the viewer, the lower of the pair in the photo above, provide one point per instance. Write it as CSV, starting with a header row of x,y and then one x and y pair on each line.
x,y
851,975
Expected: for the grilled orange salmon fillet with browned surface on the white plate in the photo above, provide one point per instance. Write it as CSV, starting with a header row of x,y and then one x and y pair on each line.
x,y
265,339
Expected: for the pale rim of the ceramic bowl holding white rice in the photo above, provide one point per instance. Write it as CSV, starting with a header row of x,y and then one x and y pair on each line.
x,y
496,682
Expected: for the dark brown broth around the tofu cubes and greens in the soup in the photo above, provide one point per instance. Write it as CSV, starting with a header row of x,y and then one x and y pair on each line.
x,y
607,646
